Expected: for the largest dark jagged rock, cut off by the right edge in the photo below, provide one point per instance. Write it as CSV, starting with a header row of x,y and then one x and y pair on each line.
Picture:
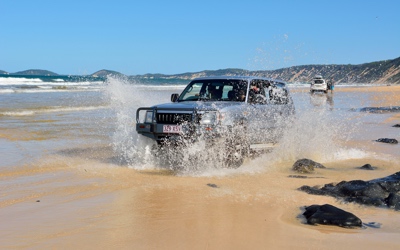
x,y
376,192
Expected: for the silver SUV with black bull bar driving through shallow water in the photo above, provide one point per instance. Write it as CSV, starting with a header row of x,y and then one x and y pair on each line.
x,y
242,114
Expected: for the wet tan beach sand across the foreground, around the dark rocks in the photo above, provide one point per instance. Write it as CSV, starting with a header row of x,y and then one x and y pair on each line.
x,y
82,198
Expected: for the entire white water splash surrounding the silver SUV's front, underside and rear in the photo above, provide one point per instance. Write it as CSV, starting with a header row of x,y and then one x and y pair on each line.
x,y
316,133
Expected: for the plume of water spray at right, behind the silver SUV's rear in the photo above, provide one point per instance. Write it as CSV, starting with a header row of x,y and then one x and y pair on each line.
x,y
319,133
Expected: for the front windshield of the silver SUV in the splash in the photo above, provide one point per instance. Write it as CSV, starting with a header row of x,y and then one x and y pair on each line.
x,y
215,90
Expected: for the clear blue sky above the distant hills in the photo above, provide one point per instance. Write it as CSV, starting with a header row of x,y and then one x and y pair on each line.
x,y
171,37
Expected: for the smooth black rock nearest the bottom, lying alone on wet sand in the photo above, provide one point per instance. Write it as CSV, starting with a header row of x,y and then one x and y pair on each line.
x,y
330,215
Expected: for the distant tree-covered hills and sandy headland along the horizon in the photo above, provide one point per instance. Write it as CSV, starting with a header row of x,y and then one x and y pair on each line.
x,y
387,71
